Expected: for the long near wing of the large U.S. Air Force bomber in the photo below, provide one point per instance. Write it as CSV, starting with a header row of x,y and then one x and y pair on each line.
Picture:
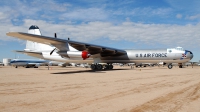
x,y
61,44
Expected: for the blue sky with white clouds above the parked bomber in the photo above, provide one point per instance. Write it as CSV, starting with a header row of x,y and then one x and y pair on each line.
x,y
122,24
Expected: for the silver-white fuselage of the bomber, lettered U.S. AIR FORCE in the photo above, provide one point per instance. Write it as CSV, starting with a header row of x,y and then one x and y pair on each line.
x,y
132,56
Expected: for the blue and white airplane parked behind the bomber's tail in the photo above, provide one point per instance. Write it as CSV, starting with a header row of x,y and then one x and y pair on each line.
x,y
28,63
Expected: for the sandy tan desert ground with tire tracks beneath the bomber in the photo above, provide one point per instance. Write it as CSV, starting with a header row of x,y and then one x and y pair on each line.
x,y
74,89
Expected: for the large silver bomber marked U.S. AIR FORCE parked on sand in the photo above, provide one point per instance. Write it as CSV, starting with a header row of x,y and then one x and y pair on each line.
x,y
53,48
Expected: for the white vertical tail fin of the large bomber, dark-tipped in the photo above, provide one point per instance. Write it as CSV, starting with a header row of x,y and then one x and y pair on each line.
x,y
34,46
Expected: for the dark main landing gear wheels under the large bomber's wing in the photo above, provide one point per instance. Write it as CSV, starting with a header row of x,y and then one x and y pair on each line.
x,y
100,67
